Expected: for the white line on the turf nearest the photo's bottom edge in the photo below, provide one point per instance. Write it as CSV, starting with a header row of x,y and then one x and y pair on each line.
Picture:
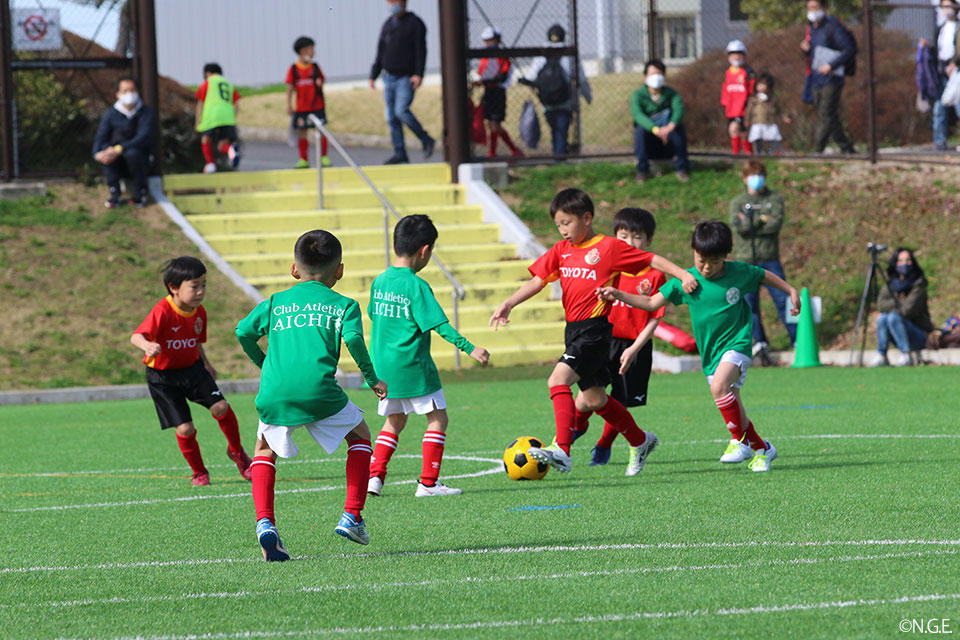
x,y
539,622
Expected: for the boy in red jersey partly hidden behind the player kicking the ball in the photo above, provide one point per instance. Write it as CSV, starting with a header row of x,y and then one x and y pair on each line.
x,y
631,348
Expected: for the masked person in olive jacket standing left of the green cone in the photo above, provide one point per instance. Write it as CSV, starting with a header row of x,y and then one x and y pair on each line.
x,y
757,217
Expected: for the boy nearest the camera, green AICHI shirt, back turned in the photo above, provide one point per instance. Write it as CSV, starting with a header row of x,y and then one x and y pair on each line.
x,y
298,387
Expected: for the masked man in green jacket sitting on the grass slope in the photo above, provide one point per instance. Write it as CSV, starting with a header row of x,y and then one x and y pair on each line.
x,y
658,130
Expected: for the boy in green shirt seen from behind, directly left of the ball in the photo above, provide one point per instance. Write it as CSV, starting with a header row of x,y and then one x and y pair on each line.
x,y
404,311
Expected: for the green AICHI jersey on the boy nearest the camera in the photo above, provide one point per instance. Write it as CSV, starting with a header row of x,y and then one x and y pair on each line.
x,y
304,326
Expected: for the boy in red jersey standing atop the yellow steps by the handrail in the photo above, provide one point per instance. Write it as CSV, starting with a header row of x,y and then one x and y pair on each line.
x,y
306,79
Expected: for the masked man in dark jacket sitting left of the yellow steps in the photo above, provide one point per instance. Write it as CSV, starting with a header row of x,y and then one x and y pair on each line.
x,y
125,141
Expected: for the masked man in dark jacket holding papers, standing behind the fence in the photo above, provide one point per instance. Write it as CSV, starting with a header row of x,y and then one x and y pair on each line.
x,y
825,34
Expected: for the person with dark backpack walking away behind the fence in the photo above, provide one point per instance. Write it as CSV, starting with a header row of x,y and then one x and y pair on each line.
x,y
555,96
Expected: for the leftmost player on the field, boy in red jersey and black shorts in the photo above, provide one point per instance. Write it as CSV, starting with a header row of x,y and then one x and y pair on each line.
x,y
172,337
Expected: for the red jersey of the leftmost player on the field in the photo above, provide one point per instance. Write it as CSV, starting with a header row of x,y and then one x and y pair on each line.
x,y
179,333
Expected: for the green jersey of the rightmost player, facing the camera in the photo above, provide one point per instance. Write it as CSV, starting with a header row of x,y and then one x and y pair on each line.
x,y
721,318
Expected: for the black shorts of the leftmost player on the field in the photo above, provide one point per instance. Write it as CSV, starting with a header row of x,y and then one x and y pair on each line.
x,y
171,388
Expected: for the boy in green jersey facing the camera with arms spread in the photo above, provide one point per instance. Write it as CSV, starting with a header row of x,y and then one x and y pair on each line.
x,y
722,324
